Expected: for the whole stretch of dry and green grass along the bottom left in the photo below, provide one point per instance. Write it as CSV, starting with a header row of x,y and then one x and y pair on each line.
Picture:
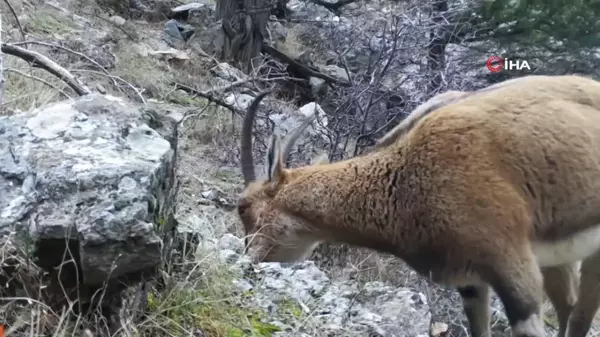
x,y
197,296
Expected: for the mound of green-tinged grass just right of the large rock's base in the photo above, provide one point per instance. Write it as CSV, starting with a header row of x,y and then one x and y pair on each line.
x,y
202,298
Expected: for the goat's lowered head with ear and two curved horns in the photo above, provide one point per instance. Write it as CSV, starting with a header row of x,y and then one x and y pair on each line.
x,y
272,235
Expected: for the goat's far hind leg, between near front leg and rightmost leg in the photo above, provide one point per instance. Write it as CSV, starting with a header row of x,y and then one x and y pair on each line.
x,y
561,284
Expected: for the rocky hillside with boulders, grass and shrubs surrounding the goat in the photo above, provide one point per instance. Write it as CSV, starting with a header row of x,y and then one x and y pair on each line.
x,y
145,78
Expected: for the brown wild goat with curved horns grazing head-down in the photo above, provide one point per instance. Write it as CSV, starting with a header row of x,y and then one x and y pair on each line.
x,y
500,188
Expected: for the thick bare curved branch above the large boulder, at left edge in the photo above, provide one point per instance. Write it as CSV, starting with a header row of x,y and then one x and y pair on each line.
x,y
40,61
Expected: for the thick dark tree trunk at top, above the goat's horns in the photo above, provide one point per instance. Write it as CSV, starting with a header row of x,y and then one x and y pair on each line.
x,y
244,26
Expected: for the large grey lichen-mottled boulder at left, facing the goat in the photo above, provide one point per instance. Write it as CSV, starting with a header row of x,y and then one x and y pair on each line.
x,y
92,173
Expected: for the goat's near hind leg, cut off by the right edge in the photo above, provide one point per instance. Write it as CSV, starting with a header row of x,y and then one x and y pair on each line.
x,y
589,298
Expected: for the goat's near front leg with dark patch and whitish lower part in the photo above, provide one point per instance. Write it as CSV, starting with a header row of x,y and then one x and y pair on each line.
x,y
517,280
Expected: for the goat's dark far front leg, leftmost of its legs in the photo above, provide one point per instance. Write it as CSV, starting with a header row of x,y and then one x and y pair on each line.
x,y
476,304
